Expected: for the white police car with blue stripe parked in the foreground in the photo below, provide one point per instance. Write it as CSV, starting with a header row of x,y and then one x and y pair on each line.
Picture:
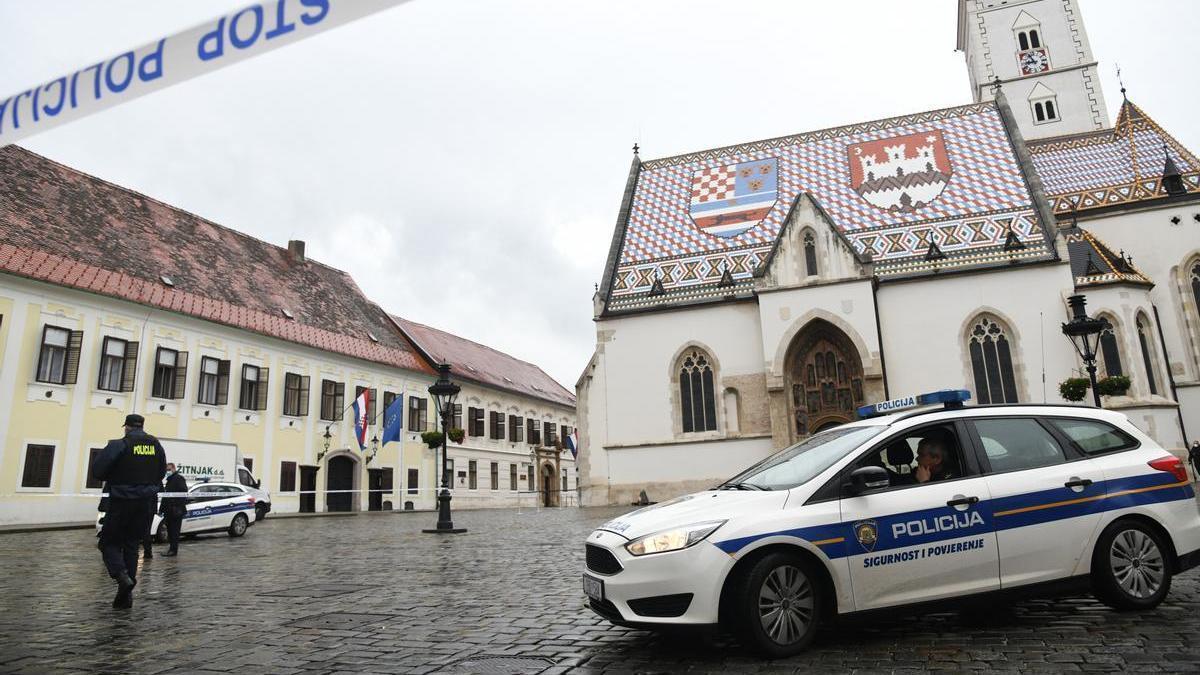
x,y
907,509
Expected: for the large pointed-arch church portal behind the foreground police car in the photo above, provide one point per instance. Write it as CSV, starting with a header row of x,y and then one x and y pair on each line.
x,y
825,379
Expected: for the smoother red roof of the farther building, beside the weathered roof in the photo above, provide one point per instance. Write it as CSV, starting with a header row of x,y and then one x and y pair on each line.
x,y
485,366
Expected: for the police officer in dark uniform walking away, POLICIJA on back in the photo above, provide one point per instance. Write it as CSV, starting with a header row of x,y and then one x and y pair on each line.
x,y
134,468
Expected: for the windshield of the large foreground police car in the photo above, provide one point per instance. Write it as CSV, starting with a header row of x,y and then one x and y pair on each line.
x,y
803,462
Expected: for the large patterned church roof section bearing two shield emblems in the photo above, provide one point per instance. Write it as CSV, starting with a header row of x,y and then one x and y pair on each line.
x,y
959,184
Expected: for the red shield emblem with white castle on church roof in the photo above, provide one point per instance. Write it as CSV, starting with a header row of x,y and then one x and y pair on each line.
x,y
902,174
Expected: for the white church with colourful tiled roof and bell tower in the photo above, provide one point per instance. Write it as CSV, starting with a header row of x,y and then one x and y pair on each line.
x,y
758,294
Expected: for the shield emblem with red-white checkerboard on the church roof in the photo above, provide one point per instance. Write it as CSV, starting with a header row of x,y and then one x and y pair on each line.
x,y
730,200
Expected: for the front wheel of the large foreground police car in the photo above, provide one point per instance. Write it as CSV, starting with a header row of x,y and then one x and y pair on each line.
x,y
778,606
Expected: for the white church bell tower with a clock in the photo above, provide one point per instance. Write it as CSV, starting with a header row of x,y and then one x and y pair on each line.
x,y
1039,52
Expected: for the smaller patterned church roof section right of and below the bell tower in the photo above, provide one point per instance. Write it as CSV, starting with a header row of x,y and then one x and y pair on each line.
x,y
1113,166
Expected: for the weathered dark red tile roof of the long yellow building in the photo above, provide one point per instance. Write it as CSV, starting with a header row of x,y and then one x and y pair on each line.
x,y
65,228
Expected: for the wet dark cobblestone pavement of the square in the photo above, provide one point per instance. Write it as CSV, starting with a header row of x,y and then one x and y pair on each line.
x,y
371,594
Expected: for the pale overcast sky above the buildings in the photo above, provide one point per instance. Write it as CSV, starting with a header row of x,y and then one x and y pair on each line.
x,y
465,159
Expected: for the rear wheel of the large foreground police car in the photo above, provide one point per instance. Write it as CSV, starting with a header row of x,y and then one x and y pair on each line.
x,y
1130,569
